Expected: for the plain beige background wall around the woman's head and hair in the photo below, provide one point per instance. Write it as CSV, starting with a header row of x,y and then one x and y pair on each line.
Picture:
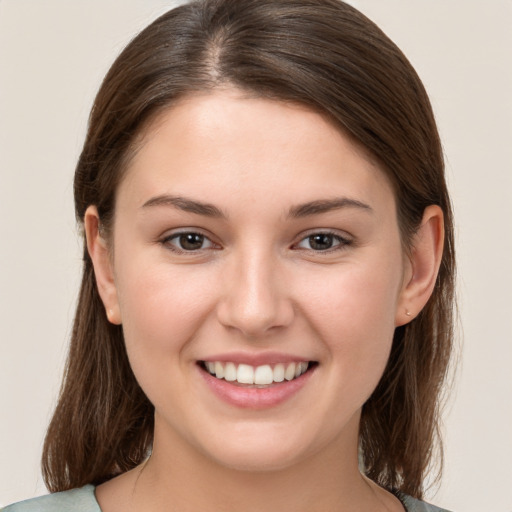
x,y
53,54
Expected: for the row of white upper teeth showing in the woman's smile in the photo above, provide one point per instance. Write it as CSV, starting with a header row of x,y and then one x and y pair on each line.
x,y
259,375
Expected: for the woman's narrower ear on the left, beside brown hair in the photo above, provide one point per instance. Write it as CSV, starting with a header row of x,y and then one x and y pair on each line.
x,y
100,254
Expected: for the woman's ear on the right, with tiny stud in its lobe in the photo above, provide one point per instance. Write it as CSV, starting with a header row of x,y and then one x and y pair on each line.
x,y
422,265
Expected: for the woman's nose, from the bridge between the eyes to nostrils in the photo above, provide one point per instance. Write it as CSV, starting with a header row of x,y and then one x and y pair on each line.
x,y
255,300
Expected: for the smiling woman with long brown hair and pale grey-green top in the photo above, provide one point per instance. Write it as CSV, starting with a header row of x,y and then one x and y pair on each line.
x,y
265,317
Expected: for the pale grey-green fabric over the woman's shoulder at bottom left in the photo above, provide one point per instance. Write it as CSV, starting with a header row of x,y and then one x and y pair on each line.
x,y
75,500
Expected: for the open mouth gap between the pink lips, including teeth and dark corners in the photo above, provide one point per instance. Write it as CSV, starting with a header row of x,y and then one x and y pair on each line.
x,y
263,376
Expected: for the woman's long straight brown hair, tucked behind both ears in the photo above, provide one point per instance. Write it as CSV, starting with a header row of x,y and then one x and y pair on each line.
x,y
320,53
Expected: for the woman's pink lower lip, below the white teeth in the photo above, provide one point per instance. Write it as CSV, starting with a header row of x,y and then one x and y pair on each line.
x,y
256,398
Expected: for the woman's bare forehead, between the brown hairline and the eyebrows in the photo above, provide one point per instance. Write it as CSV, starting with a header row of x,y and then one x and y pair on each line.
x,y
225,142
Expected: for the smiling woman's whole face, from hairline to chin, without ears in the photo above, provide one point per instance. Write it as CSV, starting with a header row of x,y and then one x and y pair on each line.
x,y
252,240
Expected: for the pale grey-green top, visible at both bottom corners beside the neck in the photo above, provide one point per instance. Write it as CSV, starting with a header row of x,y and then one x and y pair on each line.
x,y
84,500
